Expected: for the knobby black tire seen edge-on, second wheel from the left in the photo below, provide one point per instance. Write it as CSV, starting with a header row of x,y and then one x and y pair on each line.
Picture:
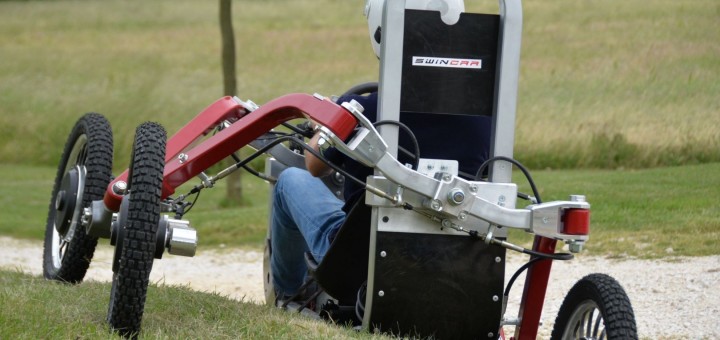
x,y
130,281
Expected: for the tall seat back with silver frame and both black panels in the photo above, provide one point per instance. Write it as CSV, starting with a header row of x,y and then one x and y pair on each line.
x,y
455,86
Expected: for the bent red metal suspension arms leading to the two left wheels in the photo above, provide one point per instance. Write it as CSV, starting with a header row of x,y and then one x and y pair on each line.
x,y
249,127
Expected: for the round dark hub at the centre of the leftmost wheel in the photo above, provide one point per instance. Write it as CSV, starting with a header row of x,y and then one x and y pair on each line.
x,y
68,199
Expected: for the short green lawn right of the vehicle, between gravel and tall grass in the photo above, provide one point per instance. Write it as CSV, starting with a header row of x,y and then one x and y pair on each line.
x,y
645,213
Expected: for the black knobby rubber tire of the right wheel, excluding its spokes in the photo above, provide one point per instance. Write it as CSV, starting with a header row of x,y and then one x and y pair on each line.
x,y
611,299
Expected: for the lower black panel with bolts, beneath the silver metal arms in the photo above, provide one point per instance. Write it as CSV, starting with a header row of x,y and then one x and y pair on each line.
x,y
445,287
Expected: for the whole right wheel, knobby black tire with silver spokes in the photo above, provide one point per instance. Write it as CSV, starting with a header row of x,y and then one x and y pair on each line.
x,y
596,307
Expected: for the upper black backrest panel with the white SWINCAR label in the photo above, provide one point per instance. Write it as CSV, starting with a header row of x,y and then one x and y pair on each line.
x,y
435,77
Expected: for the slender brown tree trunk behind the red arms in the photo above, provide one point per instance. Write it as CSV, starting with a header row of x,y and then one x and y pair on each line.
x,y
234,181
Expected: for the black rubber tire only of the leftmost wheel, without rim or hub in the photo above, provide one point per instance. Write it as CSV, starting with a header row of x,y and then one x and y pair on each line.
x,y
98,163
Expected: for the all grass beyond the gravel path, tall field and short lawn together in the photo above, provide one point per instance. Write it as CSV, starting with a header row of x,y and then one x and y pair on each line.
x,y
625,87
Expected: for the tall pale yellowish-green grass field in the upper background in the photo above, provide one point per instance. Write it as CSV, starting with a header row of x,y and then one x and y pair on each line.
x,y
602,84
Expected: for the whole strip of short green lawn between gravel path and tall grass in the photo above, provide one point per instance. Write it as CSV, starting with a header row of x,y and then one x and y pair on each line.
x,y
634,212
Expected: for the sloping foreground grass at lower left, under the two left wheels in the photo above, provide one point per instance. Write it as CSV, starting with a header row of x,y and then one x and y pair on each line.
x,y
33,308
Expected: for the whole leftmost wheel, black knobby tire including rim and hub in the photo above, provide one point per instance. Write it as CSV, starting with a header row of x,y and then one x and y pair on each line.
x,y
68,249
